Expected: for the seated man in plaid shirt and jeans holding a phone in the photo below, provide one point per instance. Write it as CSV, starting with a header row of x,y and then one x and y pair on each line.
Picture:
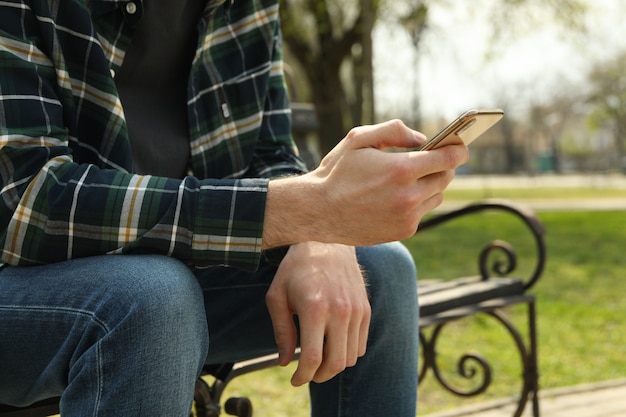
x,y
141,230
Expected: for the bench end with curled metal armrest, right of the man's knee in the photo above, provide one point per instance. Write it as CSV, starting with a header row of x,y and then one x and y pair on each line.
x,y
496,287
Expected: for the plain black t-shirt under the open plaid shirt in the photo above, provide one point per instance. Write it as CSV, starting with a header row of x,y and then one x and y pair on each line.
x,y
152,84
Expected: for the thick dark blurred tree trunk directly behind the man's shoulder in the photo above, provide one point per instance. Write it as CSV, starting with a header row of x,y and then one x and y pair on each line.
x,y
326,38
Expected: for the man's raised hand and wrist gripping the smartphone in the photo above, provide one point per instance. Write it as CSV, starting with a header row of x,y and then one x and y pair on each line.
x,y
361,195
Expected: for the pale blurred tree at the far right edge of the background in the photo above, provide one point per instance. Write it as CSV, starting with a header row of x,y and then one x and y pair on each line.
x,y
608,96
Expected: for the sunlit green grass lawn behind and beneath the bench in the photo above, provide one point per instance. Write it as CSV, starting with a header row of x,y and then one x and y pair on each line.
x,y
581,326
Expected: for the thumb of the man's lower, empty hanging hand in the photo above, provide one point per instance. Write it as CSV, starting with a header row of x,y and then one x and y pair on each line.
x,y
285,332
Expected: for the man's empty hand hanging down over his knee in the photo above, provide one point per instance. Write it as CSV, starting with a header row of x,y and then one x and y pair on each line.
x,y
322,284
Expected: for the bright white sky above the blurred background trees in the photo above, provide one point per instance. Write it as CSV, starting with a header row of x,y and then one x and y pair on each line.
x,y
452,74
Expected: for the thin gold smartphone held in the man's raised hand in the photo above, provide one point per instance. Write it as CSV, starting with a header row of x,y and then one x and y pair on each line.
x,y
465,129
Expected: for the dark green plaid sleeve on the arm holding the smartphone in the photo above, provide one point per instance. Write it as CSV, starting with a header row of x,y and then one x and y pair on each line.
x,y
67,190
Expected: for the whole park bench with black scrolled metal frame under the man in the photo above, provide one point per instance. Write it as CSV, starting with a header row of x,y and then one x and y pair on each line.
x,y
442,301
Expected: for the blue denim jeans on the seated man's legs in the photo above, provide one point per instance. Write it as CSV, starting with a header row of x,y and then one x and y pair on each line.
x,y
128,335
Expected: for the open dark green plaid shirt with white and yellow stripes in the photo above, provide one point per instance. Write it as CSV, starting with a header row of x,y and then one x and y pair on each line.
x,y
68,188
